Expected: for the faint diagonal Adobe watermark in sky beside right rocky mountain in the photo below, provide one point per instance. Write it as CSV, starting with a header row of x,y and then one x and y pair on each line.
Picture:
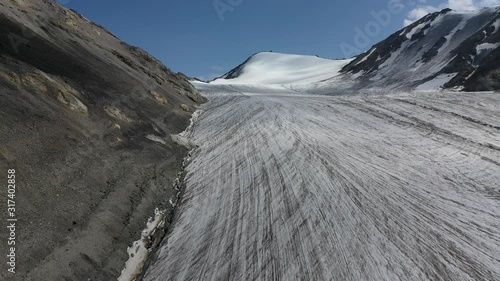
x,y
363,37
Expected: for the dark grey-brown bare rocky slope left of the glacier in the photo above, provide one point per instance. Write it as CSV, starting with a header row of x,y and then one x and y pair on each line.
x,y
76,105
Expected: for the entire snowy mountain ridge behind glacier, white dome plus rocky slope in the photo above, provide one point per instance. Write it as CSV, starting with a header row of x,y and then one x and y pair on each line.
x,y
446,49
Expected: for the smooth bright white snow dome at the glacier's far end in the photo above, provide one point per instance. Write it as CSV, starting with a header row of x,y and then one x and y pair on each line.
x,y
271,68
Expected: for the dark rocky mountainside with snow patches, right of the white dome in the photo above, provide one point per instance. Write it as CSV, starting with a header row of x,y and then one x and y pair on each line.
x,y
444,49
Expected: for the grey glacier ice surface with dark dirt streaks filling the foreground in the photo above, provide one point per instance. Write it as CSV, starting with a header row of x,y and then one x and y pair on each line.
x,y
290,187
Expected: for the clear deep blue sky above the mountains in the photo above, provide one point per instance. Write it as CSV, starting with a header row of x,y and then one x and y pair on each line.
x,y
208,38
